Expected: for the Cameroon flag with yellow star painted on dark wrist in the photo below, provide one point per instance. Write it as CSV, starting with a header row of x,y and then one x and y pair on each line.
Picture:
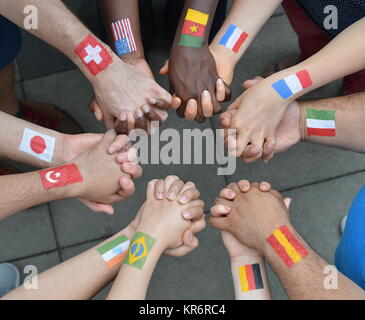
x,y
193,31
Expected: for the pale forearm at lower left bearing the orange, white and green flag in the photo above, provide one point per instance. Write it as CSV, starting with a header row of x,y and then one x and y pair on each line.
x,y
78,278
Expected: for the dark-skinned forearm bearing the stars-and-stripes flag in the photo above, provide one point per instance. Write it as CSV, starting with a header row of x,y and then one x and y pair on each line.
x,y
122,25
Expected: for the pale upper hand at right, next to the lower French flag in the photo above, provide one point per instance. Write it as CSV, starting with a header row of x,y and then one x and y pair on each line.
x,y
255,122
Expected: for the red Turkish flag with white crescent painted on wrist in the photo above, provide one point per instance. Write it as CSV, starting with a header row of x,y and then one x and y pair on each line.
x,y
61,176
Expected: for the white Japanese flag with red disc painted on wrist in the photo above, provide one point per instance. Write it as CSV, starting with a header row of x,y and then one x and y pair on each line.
x,y
38,145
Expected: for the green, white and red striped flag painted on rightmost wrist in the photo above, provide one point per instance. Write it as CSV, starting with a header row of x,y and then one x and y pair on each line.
x,y
321,122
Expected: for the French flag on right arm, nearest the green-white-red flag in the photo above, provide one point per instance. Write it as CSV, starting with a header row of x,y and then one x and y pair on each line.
x,y
293,84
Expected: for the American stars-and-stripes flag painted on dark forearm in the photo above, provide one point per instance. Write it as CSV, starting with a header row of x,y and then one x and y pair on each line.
x,y
123,37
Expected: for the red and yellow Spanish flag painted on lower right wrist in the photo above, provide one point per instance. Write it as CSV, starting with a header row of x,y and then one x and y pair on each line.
x,y
287,246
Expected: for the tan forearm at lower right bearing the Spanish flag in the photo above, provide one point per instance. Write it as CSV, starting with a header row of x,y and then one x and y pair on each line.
x,y
301,272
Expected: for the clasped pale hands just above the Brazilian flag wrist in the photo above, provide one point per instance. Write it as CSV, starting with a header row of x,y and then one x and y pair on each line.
x,y
166,220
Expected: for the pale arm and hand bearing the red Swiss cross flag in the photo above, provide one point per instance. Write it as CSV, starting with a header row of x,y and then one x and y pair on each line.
x,y
113,81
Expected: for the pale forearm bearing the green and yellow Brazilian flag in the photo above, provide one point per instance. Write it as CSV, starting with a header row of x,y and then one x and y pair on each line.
x,y
134,277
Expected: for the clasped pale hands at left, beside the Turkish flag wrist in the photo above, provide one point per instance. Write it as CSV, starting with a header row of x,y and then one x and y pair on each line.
x,y
105,180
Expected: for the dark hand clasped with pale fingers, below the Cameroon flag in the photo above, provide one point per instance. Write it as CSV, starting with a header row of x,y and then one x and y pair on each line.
x,y
194,79
